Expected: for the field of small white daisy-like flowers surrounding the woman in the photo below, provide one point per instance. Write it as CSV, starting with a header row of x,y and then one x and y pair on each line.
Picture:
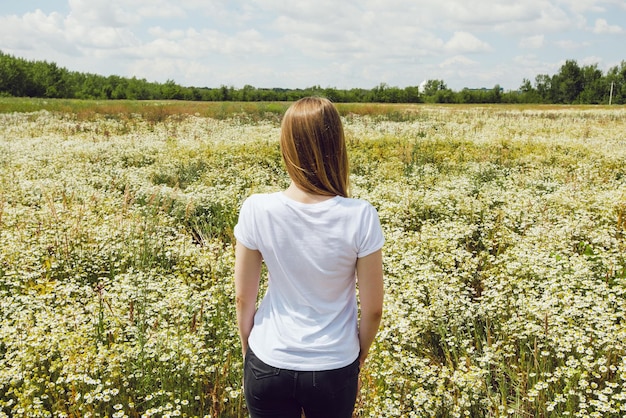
x,y
505,260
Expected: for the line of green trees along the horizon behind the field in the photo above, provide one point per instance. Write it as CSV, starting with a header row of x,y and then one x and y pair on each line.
x,y
573,84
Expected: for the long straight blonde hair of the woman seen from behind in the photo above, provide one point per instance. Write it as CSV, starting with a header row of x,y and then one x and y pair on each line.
x,y
313,146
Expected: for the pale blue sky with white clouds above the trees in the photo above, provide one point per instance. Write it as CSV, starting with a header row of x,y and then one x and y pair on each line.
x,y
329,43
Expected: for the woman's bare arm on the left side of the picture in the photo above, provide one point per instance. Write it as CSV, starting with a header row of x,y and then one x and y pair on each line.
x,y
247,277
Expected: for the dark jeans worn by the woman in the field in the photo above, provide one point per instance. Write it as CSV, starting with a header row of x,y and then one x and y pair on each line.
x,y
281,393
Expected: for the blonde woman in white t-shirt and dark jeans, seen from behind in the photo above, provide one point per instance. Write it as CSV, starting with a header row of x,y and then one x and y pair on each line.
x,y
304,346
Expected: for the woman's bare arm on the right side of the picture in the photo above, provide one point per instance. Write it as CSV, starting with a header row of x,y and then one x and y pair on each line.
x,y
369,271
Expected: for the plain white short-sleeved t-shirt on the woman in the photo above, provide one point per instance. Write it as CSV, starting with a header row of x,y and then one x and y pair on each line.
x,y
307,319
